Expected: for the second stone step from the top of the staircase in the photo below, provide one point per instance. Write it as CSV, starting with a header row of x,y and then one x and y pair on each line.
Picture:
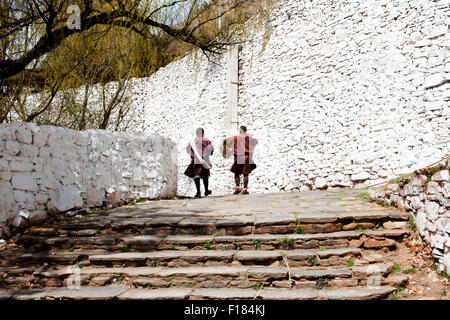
x,y
182,242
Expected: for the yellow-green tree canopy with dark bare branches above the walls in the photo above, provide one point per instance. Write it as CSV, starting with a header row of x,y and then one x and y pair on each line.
x,y
50,46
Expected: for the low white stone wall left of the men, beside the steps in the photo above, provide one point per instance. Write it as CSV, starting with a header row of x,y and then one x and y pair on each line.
x,y
50,169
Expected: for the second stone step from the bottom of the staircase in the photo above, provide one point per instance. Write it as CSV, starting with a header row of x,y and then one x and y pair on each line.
x,y
219,276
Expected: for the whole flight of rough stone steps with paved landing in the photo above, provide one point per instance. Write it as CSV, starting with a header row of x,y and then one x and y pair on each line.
x,y
316,245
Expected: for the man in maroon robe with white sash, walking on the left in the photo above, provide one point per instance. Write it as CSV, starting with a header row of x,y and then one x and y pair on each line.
x,y
196,170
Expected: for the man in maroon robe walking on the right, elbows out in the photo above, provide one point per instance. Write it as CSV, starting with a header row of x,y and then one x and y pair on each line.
x,y
243,147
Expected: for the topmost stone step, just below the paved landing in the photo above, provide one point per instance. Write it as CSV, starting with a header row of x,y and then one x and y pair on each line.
x,y
305,222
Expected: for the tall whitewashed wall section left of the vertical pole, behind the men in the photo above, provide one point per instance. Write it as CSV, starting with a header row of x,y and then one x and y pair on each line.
x,y
174,102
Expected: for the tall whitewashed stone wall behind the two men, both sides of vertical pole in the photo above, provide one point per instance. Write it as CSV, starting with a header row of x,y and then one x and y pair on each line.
x,y
343,92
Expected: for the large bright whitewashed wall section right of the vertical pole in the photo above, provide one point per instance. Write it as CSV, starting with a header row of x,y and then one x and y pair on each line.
x,y
349,91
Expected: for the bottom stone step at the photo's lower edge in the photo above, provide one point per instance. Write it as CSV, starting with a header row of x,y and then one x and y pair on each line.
x,y
124,293
